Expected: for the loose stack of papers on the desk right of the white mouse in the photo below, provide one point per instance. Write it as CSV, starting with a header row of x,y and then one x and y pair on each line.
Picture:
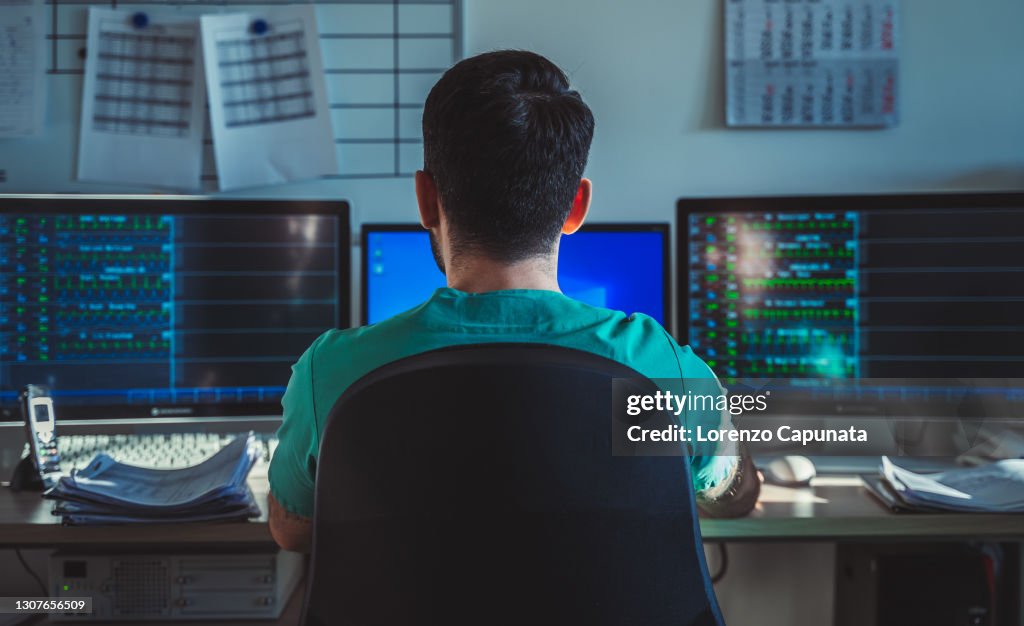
x,y
995,488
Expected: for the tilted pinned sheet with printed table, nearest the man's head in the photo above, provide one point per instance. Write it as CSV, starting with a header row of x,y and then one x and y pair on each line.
x,y
269,110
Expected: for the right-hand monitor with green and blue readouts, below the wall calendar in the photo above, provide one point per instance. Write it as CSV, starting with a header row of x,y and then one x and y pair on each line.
x,y
913,286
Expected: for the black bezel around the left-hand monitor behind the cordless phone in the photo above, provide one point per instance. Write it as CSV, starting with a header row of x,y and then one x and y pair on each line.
x,y
188,205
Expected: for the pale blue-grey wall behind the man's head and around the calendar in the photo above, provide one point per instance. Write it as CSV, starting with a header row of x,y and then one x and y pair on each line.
x,y
652,70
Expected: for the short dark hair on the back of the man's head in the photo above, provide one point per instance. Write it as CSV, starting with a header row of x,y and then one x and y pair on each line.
x,y
506,141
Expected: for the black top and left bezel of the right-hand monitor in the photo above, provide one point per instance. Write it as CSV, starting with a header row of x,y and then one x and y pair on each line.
x,y
887,202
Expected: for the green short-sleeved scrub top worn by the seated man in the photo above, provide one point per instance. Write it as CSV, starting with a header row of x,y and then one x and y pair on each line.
x,y
339,358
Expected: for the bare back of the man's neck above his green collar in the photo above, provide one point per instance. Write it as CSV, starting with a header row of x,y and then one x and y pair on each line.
x,y
480,275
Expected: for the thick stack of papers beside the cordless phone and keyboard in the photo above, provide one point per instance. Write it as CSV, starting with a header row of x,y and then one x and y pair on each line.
x,y
110,492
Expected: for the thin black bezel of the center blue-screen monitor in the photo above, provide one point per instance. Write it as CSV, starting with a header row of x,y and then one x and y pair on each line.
x,y
662,228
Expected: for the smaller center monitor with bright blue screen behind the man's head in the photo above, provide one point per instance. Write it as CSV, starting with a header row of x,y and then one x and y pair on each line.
x,y
620,267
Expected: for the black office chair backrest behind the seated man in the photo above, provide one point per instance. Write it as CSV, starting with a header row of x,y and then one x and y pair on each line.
x,y
477,486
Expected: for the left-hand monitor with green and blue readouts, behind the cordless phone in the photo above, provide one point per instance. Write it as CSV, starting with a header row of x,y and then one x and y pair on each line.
x,y
139,308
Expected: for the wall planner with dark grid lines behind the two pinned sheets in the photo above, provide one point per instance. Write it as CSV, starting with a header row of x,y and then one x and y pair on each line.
x,y
380,60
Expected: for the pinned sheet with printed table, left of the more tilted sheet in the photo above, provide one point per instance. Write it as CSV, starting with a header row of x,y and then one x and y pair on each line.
x,y
143,101
